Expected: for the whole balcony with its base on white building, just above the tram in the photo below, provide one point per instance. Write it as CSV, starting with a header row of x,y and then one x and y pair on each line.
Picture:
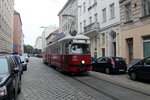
x,y
92,28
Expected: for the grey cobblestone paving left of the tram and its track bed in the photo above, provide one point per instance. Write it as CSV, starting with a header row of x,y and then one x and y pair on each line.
x,y
40,82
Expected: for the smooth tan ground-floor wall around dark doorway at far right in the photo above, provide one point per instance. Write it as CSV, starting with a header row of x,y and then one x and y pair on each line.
x,y
136,34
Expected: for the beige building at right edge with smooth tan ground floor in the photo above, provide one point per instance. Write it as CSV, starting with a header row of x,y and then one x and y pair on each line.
x,y
135,29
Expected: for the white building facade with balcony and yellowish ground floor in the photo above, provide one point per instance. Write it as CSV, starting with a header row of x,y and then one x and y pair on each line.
x,y
100,20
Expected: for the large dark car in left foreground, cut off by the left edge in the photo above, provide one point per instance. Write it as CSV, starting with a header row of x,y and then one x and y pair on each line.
x,y
10,79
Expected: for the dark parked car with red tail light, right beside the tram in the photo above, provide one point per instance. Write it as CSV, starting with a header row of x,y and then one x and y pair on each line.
x,y
110,65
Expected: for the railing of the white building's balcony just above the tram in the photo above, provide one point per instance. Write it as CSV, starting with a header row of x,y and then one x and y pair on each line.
x,y
92,27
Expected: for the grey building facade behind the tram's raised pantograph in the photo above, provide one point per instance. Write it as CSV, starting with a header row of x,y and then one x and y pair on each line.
x,y
68,17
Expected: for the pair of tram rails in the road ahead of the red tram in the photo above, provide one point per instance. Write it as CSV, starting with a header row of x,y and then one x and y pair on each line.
x,y
109,95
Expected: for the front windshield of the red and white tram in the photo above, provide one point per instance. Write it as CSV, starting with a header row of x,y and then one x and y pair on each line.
x,y
80,48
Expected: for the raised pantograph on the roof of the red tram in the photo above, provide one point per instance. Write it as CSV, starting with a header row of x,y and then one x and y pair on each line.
x,y
71,32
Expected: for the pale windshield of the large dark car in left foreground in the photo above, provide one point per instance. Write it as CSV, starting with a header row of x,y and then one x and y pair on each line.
x,y
3,66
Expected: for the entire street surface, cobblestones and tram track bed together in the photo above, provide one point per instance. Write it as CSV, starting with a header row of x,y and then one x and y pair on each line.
x,y
42,82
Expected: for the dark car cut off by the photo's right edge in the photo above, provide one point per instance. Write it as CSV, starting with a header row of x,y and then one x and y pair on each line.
x,y
140,70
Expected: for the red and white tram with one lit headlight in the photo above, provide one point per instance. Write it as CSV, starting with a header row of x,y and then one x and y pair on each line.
x,y
69,54
